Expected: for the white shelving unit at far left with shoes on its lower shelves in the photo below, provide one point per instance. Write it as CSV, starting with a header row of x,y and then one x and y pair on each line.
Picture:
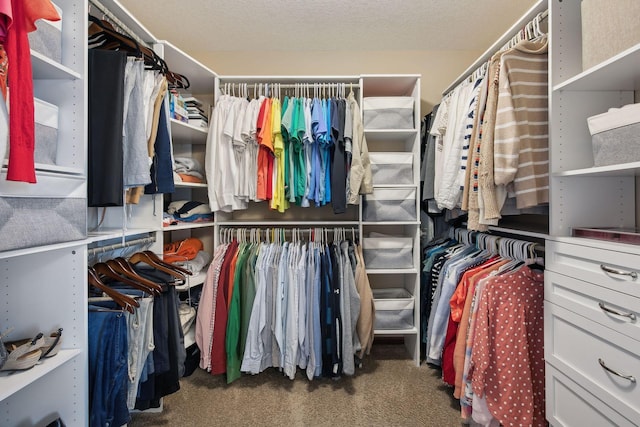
x,y
43,288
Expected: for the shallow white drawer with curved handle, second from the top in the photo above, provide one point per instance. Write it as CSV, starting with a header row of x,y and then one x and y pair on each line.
x,y
615,310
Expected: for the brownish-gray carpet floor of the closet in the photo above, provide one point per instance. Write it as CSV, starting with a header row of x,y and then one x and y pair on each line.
x,y
388,391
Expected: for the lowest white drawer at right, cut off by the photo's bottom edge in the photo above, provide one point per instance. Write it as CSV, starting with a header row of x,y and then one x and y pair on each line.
x,y
570,405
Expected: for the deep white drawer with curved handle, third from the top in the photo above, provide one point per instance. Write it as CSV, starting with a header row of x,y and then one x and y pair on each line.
x,y
576,345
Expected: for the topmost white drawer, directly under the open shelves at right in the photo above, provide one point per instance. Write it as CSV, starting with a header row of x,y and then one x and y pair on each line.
x,y
589,264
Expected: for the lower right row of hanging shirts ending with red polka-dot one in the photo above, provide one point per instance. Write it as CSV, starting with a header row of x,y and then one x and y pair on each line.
x,y
483,324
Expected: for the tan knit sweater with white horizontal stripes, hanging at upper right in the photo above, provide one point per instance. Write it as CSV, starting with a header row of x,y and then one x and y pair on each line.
x,y
521,142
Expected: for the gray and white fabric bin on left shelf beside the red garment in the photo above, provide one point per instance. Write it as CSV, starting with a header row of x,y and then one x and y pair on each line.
x,y
46,132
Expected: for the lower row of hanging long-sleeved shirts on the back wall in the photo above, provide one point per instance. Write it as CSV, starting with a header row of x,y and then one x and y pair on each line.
x,y
285,305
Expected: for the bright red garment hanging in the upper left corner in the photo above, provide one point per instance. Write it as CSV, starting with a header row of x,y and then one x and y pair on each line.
x,y
21,116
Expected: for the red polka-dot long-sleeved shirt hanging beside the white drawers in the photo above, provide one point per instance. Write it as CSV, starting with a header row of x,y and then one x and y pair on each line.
x,y
508,348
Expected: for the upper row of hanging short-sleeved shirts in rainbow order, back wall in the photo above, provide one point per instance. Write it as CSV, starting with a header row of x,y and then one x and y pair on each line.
x,y
297,150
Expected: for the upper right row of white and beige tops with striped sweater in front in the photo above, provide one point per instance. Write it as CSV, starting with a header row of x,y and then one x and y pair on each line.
x,y
490,136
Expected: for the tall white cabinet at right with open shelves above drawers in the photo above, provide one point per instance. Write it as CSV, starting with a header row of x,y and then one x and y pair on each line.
x,y
592,338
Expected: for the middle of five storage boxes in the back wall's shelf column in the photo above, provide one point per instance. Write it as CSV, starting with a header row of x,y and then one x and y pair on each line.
x,y
390,204
